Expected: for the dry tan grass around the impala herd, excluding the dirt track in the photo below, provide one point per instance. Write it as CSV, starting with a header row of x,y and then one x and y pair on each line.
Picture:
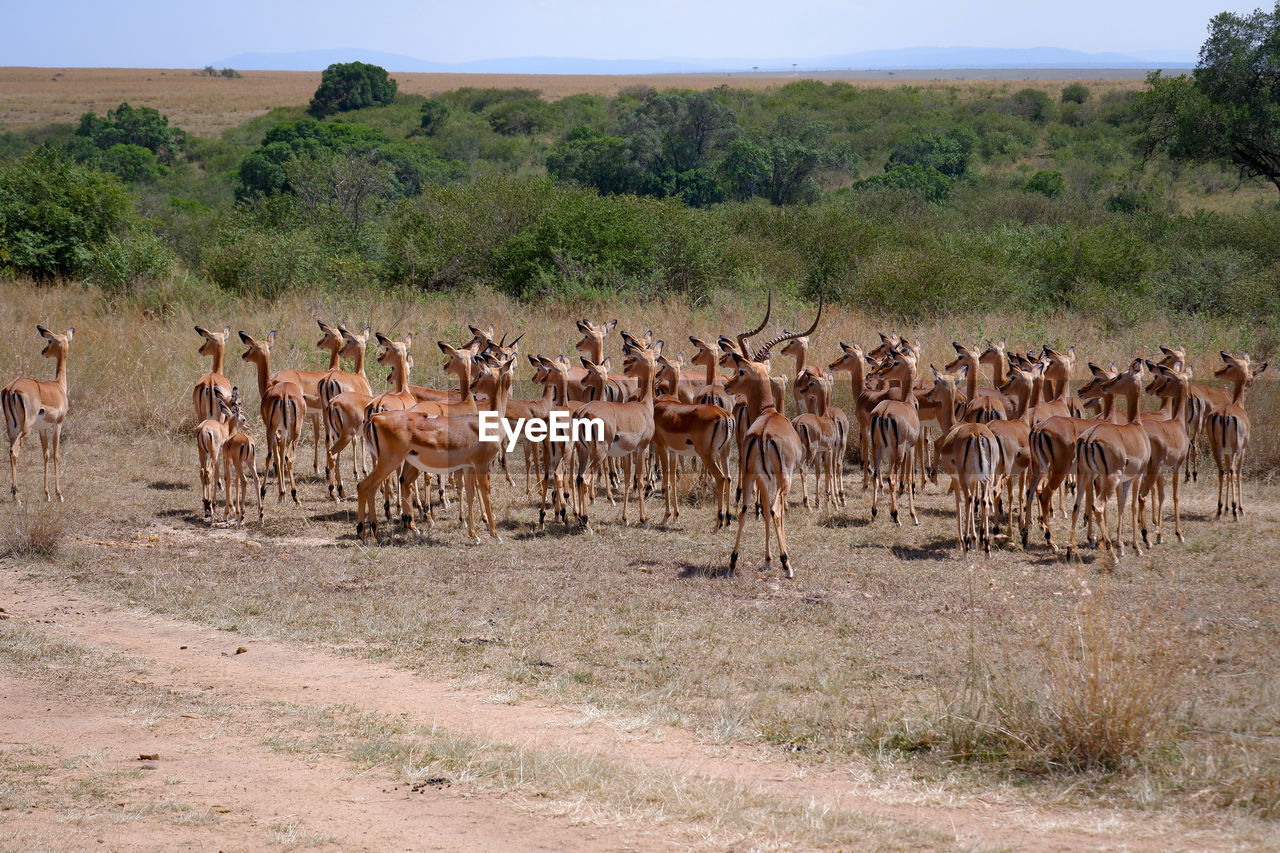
x,y
865,654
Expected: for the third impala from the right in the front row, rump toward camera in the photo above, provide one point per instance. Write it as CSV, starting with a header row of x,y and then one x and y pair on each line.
x,y
1110,460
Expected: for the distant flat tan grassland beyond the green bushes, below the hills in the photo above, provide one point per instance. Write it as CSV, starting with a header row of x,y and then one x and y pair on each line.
x,y
208,106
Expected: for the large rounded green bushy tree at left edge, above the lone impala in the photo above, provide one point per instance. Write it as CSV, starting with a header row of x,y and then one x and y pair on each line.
x,y
56,215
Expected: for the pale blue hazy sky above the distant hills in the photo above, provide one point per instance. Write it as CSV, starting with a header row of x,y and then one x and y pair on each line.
x,y
147,34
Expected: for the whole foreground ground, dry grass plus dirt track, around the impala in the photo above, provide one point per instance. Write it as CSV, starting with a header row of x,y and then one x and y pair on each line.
x,y
616,690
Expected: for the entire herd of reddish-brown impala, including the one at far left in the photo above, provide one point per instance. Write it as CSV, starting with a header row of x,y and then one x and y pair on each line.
x,y
1008,449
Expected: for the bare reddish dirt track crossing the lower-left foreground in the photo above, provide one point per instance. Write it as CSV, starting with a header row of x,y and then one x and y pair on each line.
x,y
208,714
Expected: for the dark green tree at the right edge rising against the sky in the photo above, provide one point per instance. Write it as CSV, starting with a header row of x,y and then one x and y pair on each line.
x,y
1229,111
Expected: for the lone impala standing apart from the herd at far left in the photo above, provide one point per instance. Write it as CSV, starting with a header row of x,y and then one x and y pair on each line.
x,y
42,407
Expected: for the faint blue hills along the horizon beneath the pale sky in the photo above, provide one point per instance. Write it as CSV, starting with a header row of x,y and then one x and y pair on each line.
x,y
915,58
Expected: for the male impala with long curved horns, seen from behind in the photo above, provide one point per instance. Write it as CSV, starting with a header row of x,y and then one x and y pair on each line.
x,y
771,449
